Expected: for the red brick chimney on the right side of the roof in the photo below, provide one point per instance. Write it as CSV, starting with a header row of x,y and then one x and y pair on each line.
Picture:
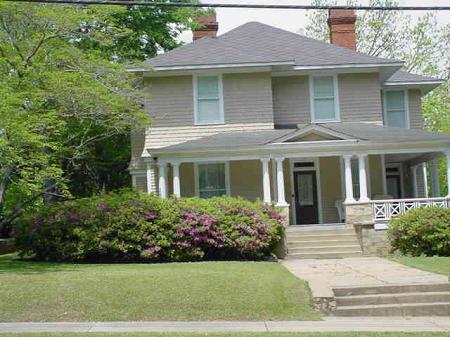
x,y
342,27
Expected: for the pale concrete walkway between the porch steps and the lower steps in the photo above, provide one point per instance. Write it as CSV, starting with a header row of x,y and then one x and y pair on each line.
x,y
323,275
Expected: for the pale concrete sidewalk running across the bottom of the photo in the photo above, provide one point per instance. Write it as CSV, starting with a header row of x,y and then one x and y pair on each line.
x,y
329,324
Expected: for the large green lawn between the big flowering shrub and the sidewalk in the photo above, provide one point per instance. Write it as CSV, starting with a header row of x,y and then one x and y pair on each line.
x,y
147,292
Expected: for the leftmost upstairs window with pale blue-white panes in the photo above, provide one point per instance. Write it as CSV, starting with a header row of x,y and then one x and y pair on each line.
x,y
208,100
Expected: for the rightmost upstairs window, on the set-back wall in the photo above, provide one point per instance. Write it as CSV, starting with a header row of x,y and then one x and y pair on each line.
x,y
396,108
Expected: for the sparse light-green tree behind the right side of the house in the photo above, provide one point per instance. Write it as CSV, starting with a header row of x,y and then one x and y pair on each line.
x,y
423,45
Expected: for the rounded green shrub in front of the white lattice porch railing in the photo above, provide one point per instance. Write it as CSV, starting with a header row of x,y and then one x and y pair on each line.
x,y
421,231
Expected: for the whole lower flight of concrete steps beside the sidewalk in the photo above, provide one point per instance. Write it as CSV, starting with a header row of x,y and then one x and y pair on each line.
x,y
393,300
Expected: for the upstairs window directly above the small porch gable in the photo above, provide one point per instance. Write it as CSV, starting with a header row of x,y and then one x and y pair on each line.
x,y
324,99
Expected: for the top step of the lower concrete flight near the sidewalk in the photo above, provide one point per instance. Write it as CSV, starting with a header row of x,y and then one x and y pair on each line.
x,y
392,289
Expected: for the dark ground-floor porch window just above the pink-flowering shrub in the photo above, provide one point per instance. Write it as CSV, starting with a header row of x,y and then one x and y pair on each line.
x,y
212,180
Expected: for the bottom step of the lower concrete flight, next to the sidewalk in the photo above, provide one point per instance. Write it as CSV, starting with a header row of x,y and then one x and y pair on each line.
x,y
408,309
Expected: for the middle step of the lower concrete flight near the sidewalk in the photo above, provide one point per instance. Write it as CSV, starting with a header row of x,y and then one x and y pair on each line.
x,y
425,297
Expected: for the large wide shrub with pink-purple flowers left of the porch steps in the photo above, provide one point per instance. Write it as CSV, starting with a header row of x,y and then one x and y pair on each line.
x,y
133,226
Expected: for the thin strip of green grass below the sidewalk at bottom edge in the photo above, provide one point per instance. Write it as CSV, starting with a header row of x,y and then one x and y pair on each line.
x,y
266,334
